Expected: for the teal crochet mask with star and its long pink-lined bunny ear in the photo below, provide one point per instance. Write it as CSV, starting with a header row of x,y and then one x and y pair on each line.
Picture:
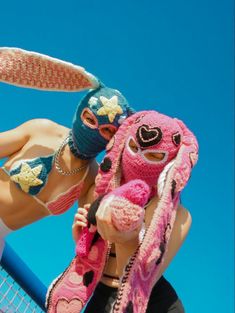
x,y
98,114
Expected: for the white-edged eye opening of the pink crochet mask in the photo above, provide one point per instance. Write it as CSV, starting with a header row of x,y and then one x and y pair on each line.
x,y
153,156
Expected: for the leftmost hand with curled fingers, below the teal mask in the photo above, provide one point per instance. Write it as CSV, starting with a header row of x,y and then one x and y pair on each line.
x,y
80,221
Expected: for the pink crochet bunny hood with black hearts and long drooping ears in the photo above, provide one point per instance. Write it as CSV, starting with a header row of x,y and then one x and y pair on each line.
x,y
130,156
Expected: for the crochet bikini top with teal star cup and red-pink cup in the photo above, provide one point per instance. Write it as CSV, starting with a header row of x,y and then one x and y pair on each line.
x,y
31,175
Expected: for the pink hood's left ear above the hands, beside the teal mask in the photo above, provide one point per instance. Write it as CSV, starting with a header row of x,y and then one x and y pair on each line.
x,y
109,175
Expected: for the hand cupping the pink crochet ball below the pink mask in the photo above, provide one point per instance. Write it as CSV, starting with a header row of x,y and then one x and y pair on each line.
x,y
106,229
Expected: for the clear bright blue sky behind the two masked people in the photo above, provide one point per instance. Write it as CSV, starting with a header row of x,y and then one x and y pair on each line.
x,y
172,56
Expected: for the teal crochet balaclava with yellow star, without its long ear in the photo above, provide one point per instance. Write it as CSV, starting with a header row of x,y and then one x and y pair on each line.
x,y
97,118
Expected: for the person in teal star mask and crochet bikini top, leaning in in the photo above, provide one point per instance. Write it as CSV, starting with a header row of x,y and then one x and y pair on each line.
x,y
48,166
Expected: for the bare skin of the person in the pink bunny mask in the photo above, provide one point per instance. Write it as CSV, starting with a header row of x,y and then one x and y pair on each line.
x,y
125,244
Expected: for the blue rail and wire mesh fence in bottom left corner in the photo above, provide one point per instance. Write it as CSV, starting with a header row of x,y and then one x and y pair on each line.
x,y
20,289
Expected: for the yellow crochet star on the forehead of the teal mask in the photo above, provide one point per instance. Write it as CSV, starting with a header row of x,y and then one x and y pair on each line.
x,y
110,107
